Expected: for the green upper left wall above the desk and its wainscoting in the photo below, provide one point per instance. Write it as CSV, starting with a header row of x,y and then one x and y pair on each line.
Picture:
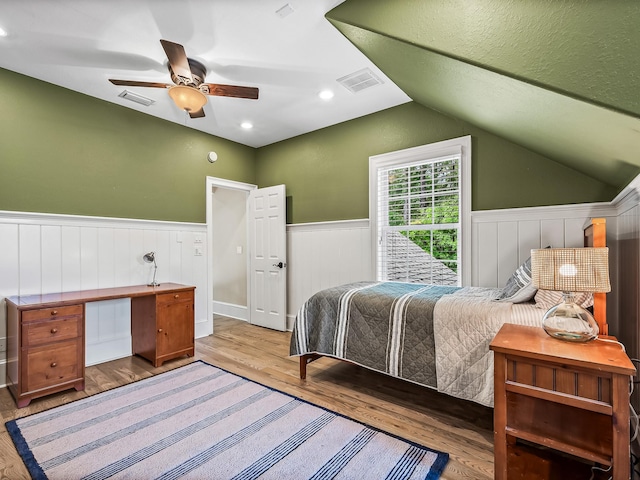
x,y
64,152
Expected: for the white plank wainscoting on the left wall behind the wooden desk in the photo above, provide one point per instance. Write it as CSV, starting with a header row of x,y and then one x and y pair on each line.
x,y
41,253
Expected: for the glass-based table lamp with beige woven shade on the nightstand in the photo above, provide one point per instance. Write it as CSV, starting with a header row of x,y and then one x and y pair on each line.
x,y
570,270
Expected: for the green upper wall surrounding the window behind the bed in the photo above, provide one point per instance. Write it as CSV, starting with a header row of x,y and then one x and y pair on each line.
x,y
326,172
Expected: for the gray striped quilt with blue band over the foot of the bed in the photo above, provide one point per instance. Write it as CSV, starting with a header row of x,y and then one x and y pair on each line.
x,y
385,326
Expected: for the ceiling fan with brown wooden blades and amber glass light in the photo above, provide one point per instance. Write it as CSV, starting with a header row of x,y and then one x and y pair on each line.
x,y
189,92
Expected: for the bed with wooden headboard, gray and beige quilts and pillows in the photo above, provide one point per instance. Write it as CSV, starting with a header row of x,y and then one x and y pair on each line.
x,y
435,336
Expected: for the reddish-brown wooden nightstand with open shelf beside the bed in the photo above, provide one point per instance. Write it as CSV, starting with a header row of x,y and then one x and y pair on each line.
x,y
559,406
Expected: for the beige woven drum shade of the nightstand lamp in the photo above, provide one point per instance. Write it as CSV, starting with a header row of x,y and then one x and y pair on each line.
x,y
571,269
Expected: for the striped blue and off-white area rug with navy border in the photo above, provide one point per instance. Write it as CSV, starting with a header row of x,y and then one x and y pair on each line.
x,y
199,421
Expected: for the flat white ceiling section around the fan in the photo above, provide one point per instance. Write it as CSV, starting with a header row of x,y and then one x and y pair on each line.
x,y
81,44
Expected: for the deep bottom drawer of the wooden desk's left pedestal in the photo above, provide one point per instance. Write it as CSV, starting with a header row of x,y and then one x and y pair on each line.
x,y
53,364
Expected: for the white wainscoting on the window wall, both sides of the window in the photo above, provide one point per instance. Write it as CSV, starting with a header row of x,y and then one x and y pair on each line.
x,y
326,254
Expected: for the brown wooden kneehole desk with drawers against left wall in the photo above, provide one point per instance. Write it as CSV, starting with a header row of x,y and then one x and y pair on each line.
x,y
45,334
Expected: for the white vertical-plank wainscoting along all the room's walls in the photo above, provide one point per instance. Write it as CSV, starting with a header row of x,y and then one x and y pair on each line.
x,y
41,253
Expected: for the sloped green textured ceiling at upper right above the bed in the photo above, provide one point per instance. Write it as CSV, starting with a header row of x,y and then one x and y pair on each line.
x,y
561,78
